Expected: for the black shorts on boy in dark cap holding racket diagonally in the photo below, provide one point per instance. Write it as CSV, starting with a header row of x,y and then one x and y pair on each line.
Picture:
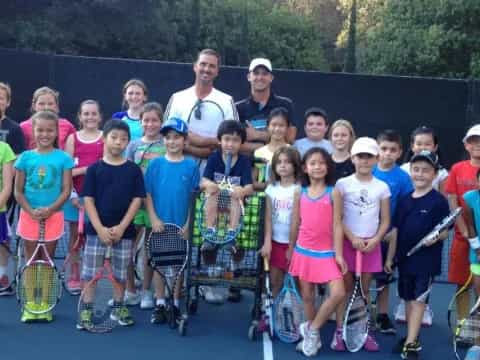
x,y
415,287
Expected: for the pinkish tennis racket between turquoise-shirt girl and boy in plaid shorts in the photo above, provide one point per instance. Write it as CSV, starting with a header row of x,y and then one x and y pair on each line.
x,y
70,273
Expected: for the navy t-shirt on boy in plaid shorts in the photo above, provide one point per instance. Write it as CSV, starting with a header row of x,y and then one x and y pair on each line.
x,y
113,188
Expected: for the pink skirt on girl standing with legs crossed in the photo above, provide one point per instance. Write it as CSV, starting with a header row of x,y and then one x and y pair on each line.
x,y
317,270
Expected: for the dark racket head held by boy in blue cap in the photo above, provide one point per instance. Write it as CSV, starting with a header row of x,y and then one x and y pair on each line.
x,y
168,251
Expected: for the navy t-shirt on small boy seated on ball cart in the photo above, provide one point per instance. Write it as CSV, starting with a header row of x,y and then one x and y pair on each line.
x,y
240,173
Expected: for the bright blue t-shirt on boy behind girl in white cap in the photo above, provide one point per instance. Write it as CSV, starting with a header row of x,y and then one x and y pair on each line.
x,y
398,181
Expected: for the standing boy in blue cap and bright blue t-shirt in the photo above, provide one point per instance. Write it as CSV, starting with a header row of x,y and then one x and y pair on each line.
x,y
170,181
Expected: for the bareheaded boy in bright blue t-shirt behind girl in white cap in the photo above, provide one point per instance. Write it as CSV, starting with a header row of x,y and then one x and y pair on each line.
x,y
400,184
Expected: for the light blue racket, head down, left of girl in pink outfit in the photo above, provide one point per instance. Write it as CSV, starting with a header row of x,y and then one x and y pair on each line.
x,y
288,312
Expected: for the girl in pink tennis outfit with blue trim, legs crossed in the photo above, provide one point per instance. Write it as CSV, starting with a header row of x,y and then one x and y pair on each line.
x,y
318,254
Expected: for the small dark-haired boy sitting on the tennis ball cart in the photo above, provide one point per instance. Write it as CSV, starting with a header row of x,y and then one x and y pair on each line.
x,y
231,136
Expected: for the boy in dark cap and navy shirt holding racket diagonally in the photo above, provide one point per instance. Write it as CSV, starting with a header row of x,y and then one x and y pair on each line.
x,y
416,215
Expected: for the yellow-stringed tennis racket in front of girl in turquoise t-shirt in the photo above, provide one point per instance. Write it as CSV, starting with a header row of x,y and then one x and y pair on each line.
x,y
40,285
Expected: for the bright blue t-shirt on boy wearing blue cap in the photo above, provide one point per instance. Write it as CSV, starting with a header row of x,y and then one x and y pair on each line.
x,y
170,184
